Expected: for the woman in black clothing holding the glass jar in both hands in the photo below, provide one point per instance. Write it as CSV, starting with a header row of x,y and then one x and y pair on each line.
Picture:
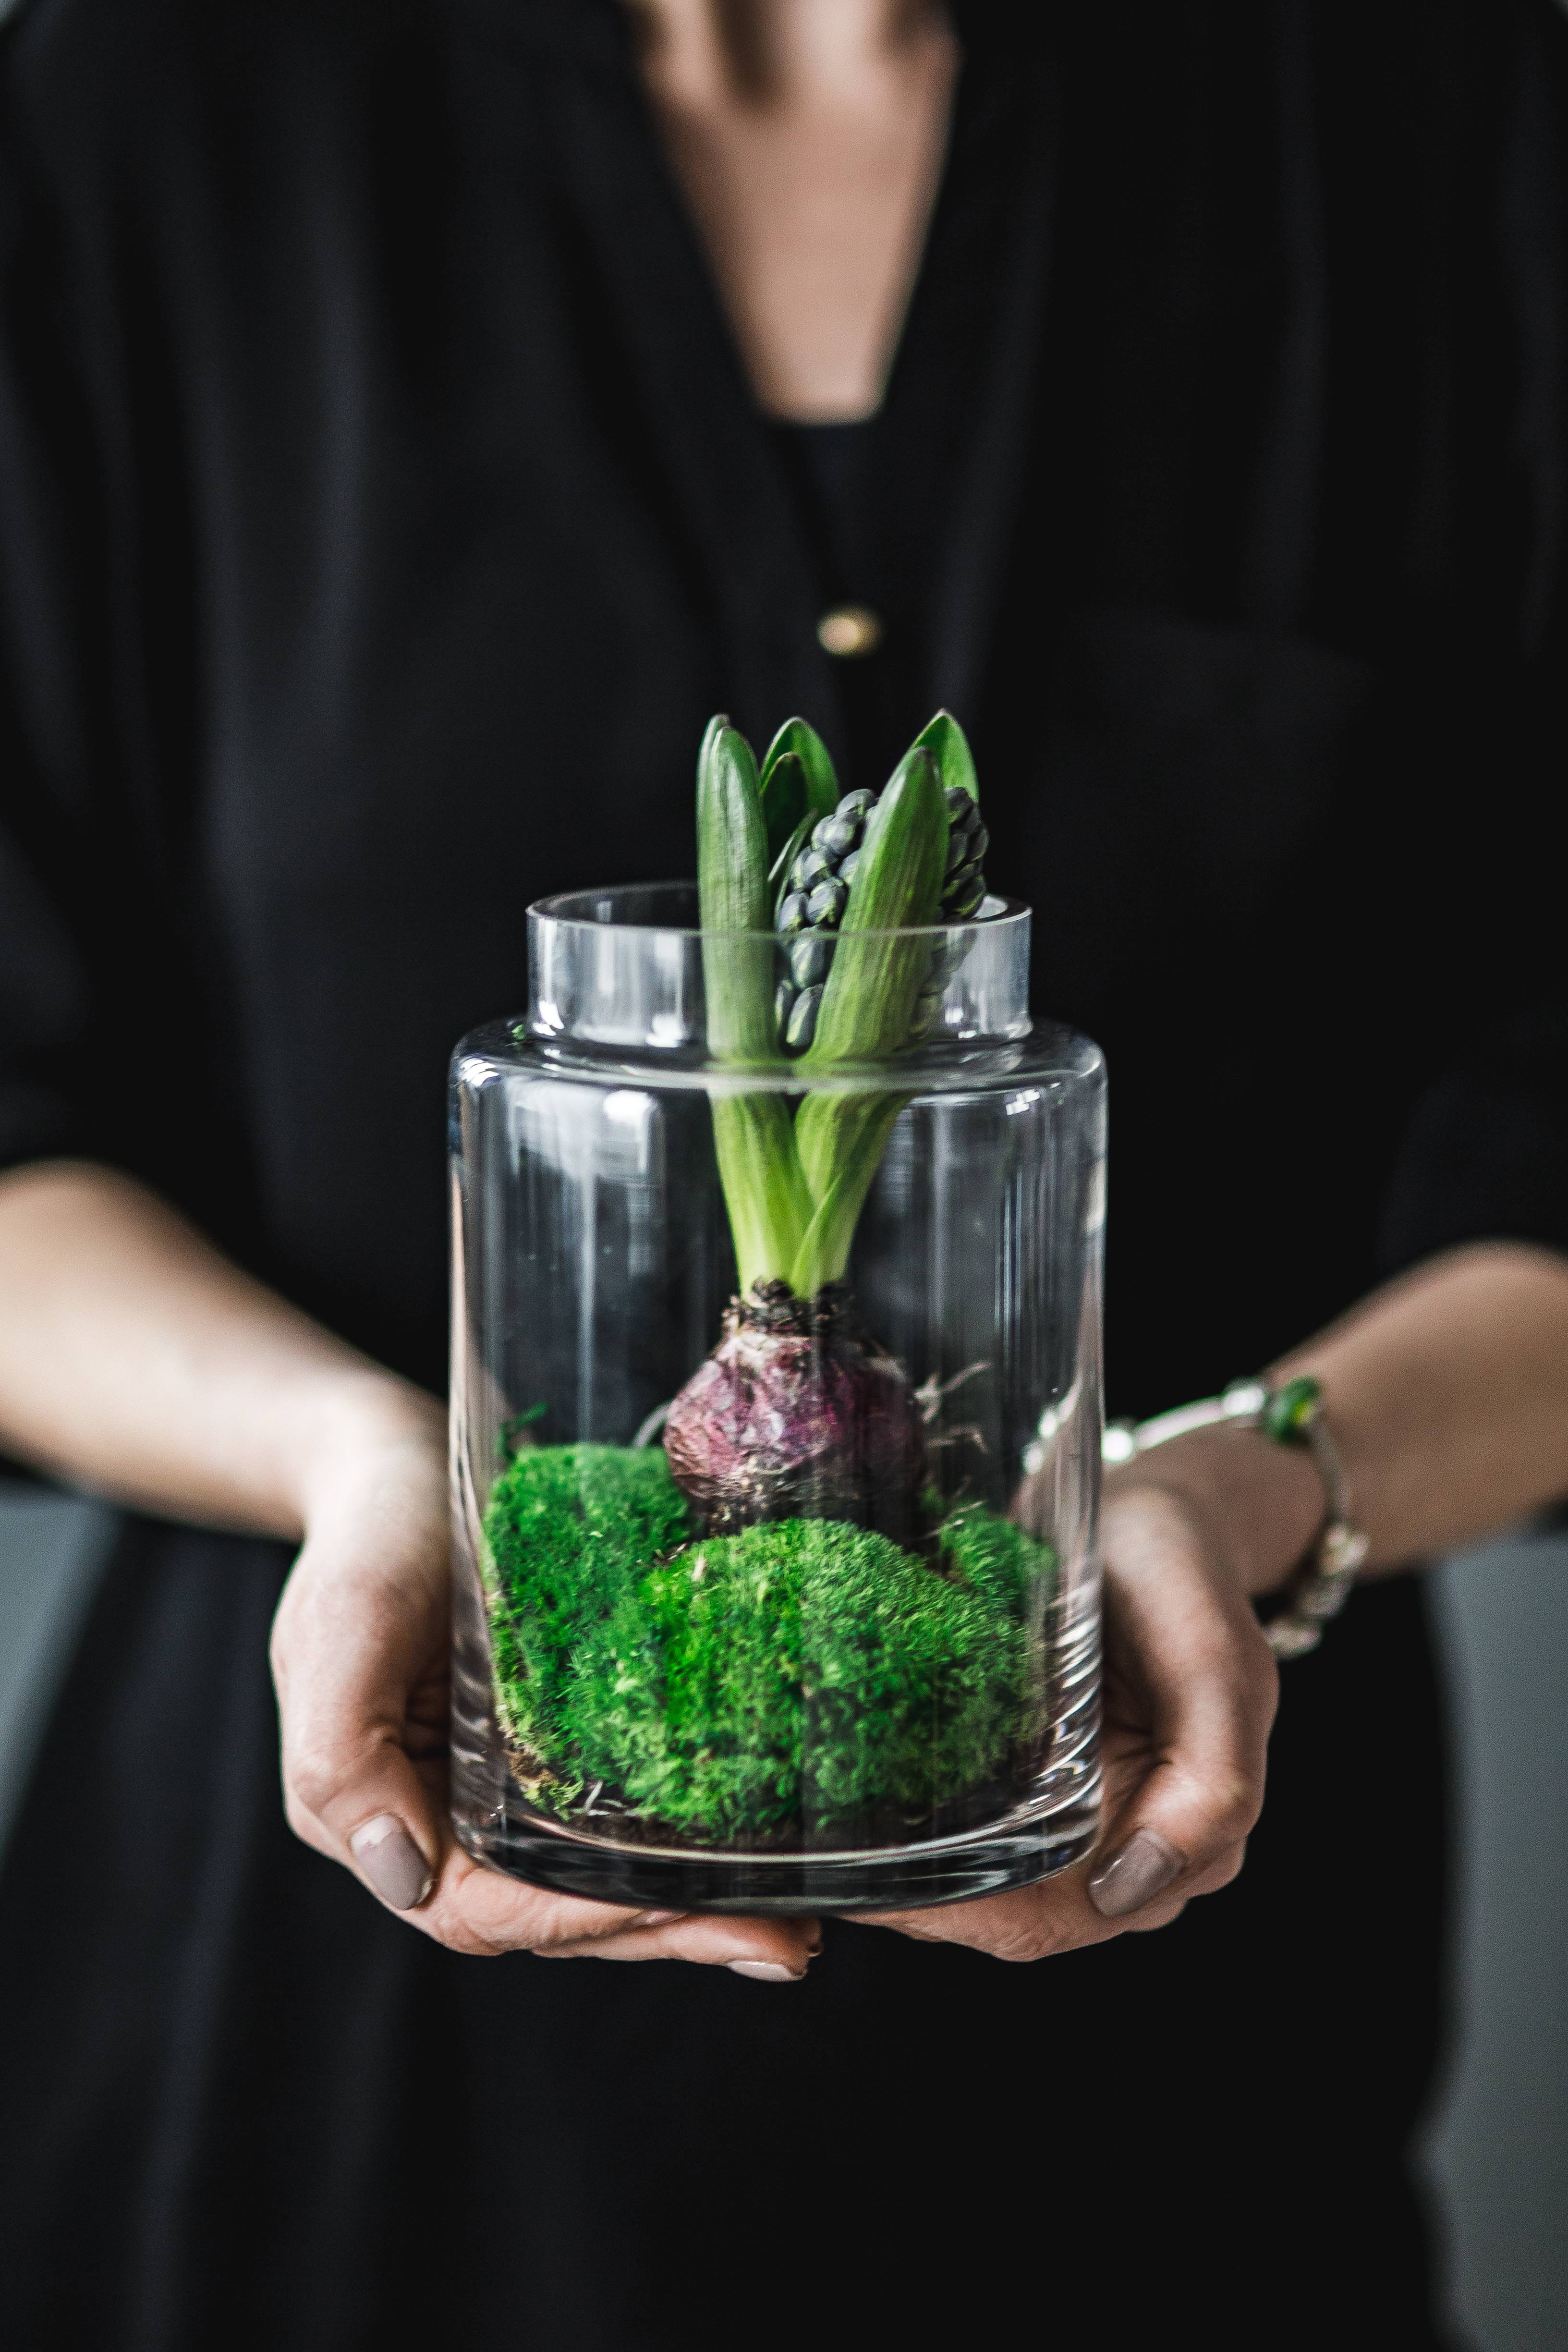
x,y
417,417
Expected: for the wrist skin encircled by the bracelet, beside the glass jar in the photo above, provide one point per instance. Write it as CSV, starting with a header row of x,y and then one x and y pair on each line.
x,y
1254,1504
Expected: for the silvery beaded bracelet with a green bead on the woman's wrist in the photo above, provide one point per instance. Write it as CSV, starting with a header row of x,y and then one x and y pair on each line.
x,y
1294,1417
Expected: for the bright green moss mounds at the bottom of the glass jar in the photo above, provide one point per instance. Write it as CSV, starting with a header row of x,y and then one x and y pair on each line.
x,y
798,1681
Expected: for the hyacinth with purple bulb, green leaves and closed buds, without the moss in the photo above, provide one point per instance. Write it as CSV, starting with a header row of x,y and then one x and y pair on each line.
x,y
798,1410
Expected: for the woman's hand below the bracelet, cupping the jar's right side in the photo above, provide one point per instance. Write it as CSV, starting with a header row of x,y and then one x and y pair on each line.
x,y
1188,1704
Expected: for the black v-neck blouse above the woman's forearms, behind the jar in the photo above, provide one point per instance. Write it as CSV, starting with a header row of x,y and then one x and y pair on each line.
x,y
384,509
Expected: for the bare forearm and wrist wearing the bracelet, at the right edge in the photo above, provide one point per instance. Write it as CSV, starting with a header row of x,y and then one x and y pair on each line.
x,y
1449,1401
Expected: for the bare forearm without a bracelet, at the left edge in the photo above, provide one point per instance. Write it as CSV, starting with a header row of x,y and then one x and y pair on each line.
x,y
145,1365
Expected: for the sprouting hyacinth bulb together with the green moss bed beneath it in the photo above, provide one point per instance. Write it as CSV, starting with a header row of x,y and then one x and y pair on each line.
x,y
772,1629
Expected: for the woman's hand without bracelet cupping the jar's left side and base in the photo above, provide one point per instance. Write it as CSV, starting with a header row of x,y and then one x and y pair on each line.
x,y
361,1659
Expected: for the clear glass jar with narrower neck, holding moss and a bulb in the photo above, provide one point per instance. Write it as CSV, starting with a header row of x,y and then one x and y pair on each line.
x,y
852,1657
